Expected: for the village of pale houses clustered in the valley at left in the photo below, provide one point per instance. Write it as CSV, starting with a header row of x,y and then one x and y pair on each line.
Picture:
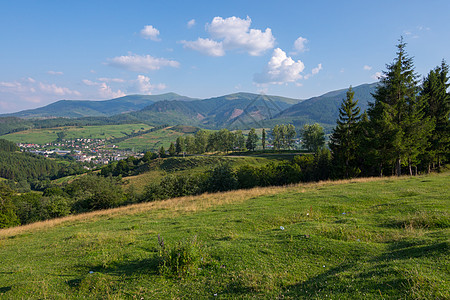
x,y
95,151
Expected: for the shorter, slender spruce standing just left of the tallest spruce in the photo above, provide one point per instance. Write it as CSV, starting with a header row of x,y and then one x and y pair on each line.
x,y
344,140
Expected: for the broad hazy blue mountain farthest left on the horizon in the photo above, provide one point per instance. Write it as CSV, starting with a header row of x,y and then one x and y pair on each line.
x,y
86,108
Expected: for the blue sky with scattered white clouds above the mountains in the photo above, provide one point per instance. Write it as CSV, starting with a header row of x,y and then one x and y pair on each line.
x,y
97,50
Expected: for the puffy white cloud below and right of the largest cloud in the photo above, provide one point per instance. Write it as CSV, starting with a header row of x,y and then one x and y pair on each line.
x,y
280,69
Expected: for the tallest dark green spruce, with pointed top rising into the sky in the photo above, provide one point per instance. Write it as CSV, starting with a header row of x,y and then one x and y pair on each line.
x,y
395,111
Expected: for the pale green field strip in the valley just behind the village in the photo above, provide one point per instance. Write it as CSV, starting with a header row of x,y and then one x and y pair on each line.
x,y
48,135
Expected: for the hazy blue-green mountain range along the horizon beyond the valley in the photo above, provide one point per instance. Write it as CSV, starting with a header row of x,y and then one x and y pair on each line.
x,y
239,110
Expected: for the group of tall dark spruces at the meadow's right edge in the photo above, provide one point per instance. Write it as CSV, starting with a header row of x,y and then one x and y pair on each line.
x,y
406,128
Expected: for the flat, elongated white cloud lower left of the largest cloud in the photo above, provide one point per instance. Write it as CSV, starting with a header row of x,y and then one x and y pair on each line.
x,y
138,63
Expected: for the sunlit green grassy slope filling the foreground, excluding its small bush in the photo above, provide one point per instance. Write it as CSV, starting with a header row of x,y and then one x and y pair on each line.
x,y
362,239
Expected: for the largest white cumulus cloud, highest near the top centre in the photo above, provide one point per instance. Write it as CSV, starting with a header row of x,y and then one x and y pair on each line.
x,y
233,33
